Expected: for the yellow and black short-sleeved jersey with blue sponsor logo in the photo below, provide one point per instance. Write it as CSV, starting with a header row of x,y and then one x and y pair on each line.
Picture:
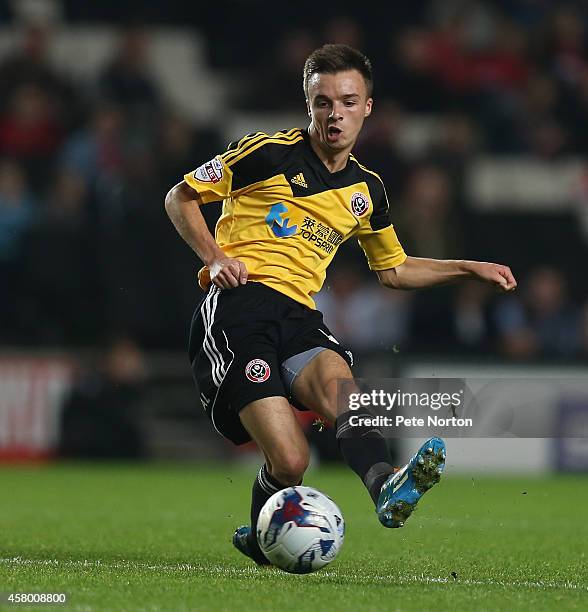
x,y
284,214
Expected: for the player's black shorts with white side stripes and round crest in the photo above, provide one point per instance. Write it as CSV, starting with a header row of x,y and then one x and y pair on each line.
x,y
239,341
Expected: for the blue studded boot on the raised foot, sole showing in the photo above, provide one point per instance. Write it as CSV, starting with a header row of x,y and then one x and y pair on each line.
x,y
403,489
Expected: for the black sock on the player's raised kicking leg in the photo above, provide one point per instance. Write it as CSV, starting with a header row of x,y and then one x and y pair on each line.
x,y
365,452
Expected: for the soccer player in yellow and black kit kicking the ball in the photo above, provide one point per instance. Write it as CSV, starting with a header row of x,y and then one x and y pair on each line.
x,y
257,344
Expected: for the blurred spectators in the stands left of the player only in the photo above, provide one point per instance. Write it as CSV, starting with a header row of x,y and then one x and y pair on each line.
x,y
85,248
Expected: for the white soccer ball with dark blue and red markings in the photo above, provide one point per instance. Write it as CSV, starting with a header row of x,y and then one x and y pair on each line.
x,y
300,529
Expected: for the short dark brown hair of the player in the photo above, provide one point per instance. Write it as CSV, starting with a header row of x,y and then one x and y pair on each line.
x,y
330,59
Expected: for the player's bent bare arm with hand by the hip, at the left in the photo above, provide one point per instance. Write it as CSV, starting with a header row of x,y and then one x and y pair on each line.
x,y
182,204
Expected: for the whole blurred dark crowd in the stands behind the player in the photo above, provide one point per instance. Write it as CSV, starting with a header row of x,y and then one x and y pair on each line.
x,y
87,252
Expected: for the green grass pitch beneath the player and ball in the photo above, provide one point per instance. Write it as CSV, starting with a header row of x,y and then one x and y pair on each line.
x,y
157,537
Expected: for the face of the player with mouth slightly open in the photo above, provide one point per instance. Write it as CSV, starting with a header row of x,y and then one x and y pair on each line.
x,y
337,105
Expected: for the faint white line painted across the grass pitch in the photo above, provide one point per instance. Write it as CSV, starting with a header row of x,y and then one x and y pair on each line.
x,y
253,571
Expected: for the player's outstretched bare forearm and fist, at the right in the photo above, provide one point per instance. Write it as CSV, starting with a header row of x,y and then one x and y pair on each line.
x,y
418,272
